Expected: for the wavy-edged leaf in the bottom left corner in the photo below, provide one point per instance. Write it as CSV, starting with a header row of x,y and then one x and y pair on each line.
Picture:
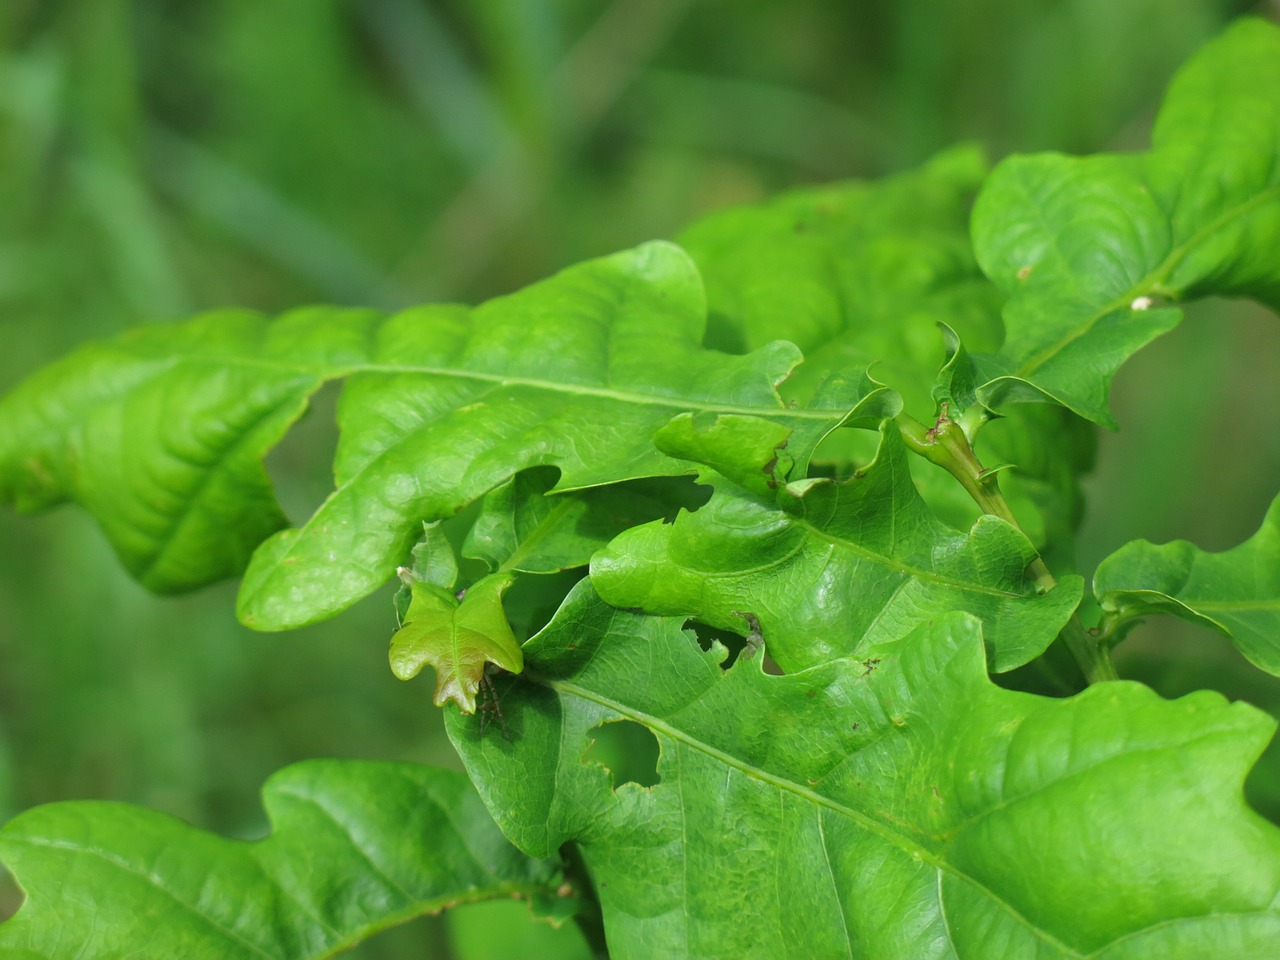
x,y
356,848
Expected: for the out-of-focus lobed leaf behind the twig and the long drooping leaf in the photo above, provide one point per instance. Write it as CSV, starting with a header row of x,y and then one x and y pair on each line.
x,y
862,275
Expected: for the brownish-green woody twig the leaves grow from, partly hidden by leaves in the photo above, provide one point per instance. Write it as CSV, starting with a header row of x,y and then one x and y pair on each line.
x,y
948,446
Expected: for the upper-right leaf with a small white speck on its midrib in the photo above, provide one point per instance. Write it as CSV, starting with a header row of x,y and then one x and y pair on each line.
x,y
1091,249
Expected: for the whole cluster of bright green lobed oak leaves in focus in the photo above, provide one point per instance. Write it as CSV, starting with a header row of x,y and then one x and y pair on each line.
x,y
883,797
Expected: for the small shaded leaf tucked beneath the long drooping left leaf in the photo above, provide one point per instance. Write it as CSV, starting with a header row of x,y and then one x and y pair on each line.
x,y
522,528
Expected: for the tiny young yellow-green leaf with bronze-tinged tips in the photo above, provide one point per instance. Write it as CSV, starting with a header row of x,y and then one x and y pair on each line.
x,y
458,639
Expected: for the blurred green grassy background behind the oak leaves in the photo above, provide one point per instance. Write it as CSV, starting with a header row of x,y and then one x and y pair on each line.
x,y
164,157
